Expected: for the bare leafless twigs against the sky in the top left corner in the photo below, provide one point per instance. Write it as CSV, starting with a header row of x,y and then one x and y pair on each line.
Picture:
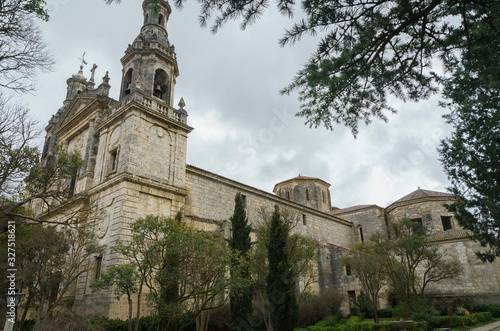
x,y
22,50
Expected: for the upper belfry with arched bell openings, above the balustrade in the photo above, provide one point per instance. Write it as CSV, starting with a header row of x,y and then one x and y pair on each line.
x,y
150,63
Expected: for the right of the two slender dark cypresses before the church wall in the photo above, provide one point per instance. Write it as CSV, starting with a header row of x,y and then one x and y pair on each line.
x,y
280,282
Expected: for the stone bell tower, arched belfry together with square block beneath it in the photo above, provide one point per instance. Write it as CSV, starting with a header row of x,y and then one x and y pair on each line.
x,y
144,135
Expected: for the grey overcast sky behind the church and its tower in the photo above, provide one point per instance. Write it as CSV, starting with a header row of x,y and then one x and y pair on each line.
x,y
243,128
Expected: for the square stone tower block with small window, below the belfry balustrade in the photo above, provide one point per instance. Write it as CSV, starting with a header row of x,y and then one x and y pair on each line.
x,y
144,144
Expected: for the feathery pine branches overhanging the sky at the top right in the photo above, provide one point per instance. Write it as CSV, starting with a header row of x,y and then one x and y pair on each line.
x,y
368,50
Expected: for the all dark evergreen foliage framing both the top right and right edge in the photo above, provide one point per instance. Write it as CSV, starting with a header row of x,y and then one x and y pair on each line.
x,y
373,50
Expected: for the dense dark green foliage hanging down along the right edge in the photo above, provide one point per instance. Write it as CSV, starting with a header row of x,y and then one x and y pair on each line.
x,y
470,156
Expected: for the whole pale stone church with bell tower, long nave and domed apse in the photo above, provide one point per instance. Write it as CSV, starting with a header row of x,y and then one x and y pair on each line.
x,y
134,152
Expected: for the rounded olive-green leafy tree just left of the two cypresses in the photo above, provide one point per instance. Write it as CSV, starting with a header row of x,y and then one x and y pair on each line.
x,y
183,268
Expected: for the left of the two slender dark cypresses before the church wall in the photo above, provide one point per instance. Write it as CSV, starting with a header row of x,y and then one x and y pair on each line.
x,y
242,295
